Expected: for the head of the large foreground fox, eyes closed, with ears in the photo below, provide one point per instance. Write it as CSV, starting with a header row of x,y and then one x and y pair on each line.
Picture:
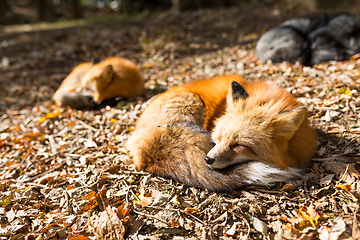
x,y
256,126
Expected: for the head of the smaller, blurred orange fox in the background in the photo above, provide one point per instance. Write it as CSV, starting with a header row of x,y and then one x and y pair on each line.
x,y
95,80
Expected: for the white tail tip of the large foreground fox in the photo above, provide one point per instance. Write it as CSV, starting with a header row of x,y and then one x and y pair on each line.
x,y
264,174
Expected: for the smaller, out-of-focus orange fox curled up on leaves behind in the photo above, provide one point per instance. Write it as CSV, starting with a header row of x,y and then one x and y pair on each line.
x,y
90,84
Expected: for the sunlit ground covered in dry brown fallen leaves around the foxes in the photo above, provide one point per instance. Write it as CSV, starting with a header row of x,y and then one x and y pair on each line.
x,y
65,174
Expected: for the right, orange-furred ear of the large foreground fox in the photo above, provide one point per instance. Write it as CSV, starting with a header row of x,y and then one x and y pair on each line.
x,y
288,122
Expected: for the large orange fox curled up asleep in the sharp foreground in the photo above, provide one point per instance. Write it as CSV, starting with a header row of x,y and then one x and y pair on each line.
x,y
259,134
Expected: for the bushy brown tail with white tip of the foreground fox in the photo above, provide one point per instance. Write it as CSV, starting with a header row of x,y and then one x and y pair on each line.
x,y
178,151
